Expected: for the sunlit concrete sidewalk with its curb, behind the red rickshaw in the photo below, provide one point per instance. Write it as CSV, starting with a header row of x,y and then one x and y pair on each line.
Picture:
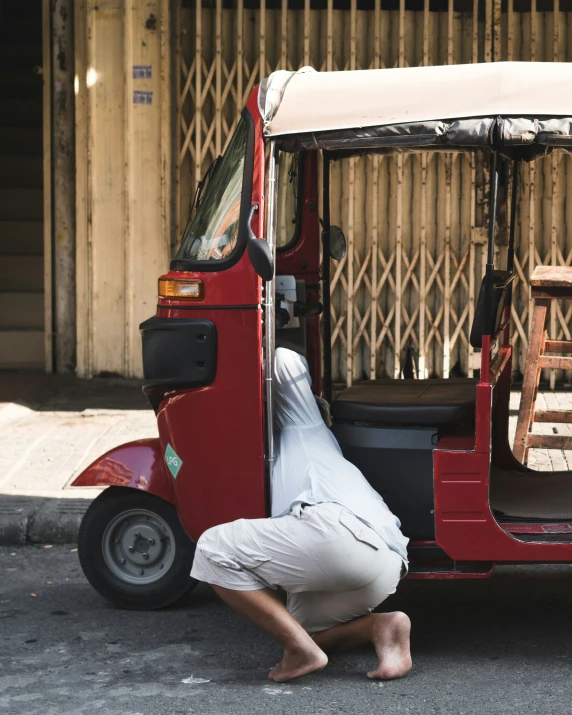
x,y
52,427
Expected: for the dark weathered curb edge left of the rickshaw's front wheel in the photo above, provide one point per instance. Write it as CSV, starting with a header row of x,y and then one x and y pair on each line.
x,y
37,520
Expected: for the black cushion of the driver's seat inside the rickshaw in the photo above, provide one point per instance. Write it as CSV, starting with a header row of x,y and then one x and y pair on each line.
x,y
431,403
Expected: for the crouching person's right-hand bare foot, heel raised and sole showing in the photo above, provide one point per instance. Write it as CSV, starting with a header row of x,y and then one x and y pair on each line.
x,y
390,636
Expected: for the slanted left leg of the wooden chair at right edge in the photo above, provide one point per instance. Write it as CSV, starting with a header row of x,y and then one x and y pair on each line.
x,y
531,379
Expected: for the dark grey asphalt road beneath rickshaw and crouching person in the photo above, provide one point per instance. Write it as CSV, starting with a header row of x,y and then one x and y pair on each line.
x,y
502,645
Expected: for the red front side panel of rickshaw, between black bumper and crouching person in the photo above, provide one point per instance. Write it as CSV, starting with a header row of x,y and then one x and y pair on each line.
x,y
217,431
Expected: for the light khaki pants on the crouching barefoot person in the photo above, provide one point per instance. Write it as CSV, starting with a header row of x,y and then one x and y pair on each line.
x,y
333,567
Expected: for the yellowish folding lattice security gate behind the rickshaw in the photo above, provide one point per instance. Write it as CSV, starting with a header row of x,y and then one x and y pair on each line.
x,y
416,225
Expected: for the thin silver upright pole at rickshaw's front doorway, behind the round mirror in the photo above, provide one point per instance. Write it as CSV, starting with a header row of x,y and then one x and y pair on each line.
x,y
269,317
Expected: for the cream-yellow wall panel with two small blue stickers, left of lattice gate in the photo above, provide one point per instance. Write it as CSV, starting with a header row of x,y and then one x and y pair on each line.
x,y
123,189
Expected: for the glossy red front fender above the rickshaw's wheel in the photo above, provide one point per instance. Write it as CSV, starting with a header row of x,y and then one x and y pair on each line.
x,y
138,465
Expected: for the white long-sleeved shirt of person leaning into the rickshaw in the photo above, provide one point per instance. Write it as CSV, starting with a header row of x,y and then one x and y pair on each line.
x,y
308,463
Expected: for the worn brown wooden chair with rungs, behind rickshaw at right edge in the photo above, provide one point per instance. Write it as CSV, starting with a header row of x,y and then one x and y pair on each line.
x,y
547,283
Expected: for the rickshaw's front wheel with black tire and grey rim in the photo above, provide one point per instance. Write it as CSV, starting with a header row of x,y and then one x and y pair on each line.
x,y
134,551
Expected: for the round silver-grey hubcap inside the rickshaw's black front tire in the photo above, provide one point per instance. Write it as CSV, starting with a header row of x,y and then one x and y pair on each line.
x,y
138,546
